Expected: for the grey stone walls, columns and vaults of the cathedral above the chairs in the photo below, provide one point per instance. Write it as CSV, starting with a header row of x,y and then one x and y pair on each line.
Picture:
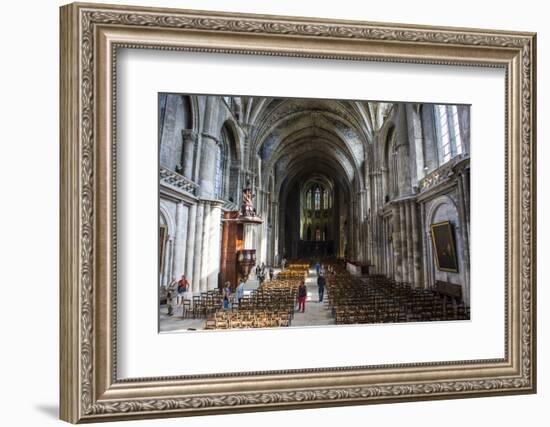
x,y
332,180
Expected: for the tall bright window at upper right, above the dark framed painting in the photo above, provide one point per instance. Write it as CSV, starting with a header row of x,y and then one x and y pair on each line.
x,y
448,132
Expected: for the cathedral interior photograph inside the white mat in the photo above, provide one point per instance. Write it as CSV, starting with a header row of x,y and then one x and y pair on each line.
x,y
289,212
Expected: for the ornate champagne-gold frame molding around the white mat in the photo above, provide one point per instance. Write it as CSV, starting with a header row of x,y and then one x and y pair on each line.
x,y
90,36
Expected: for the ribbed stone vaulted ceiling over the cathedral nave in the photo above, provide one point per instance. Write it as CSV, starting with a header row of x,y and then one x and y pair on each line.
x,y
296,138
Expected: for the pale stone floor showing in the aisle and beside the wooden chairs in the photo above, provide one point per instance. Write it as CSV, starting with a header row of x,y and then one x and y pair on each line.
x,y
316,313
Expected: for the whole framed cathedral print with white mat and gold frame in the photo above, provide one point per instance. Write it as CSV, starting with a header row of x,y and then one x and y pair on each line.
x,y
311,196
